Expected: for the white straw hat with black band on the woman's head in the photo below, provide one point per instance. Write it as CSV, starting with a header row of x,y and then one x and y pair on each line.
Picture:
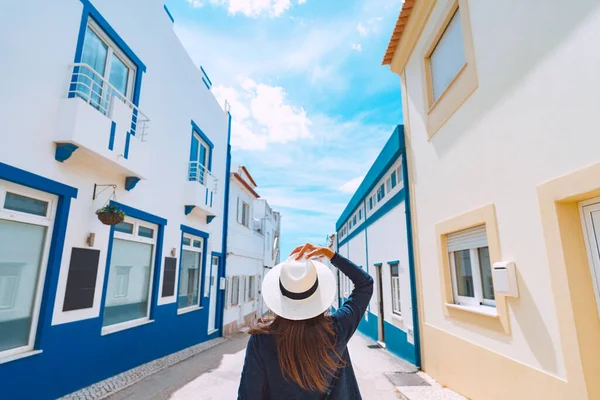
x,y
299,290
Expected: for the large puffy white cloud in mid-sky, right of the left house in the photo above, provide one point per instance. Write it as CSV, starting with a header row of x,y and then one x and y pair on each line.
x,y
262,114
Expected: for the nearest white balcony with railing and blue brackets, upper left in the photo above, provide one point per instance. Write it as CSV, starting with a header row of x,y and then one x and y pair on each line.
x,y
99,123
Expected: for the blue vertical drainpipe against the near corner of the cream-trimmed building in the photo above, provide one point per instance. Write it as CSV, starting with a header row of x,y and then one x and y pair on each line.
x,y
411,259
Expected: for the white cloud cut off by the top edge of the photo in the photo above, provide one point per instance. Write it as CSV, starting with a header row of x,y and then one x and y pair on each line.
x,y
250,8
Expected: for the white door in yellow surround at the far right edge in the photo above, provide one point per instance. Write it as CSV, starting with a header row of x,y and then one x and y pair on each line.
x,y
590,214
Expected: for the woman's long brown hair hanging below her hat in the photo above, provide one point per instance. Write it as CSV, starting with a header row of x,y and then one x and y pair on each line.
x,y
306,349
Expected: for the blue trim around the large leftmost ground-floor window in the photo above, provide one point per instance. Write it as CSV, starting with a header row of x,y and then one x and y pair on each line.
x,y
65,194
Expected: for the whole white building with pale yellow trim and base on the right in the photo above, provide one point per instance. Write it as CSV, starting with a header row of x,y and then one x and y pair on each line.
x,y
500,104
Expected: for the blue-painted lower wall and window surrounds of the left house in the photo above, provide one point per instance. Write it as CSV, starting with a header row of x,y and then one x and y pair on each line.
x,y
75,355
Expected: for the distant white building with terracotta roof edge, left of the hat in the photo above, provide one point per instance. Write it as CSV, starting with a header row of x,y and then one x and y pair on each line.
x,y
252,246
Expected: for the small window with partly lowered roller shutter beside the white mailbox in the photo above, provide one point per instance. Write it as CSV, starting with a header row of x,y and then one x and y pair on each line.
x,y
471,267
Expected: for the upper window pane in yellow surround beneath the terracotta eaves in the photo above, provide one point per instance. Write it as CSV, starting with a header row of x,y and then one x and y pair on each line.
x,y
448,56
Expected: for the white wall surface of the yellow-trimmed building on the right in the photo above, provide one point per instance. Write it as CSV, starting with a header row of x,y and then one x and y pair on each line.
x,y
531,119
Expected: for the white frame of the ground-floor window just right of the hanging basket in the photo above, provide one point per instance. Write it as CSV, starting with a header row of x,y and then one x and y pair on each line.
x,y
134,237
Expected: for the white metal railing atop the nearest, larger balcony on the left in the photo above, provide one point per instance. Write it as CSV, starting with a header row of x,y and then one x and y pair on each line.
x,y
95,90
